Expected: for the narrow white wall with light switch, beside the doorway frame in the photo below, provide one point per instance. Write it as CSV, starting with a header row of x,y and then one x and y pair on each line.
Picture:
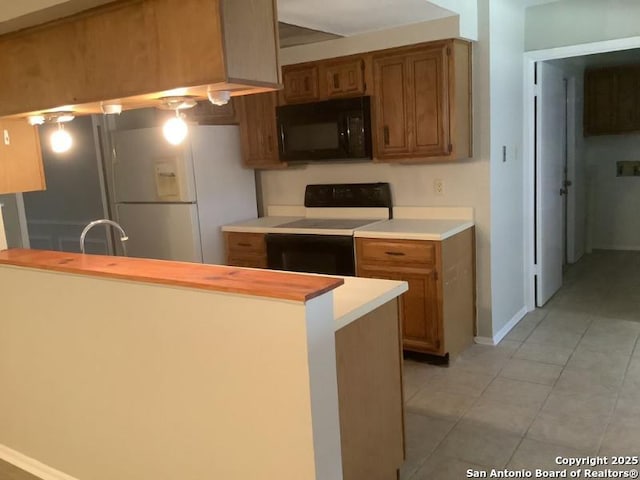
x,y
506,19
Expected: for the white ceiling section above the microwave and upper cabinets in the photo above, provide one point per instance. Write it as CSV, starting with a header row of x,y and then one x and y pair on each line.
x,y
352,17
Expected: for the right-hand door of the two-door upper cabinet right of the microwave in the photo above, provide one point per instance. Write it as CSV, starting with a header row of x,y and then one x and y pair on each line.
x,y
429,103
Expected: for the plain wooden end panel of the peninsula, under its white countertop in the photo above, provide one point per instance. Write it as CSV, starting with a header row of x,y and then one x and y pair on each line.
x,y
370,398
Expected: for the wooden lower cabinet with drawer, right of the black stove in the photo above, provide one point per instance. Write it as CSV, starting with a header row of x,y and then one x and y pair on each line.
x,y
438,310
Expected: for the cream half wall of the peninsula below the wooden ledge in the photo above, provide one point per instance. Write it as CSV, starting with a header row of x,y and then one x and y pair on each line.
x,y
110,379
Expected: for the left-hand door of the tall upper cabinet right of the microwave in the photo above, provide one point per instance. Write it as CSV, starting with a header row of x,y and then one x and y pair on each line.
x,y
391,117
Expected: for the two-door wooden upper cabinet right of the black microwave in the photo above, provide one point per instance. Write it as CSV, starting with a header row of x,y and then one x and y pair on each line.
x,y
422,102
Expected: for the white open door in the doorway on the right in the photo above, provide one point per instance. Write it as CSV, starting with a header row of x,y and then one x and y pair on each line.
x,y
550,123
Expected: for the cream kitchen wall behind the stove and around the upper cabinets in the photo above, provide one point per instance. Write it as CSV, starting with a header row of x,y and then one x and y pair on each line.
x,y
466,183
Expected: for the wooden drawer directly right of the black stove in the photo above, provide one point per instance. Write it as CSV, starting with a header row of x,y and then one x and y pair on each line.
x,y
404,252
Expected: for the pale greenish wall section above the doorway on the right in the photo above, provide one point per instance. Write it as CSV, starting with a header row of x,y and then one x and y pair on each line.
x,y
573,22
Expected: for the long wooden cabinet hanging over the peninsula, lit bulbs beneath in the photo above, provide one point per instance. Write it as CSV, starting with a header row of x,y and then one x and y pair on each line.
x,y
134,52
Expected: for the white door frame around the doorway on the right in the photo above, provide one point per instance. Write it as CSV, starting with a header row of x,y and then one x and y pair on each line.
x,y
529,89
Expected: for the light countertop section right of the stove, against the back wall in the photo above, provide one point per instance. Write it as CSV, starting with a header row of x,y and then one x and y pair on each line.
x,y
414,229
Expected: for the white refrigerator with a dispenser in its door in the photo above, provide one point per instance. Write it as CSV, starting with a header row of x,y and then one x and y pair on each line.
x,y
172,200
